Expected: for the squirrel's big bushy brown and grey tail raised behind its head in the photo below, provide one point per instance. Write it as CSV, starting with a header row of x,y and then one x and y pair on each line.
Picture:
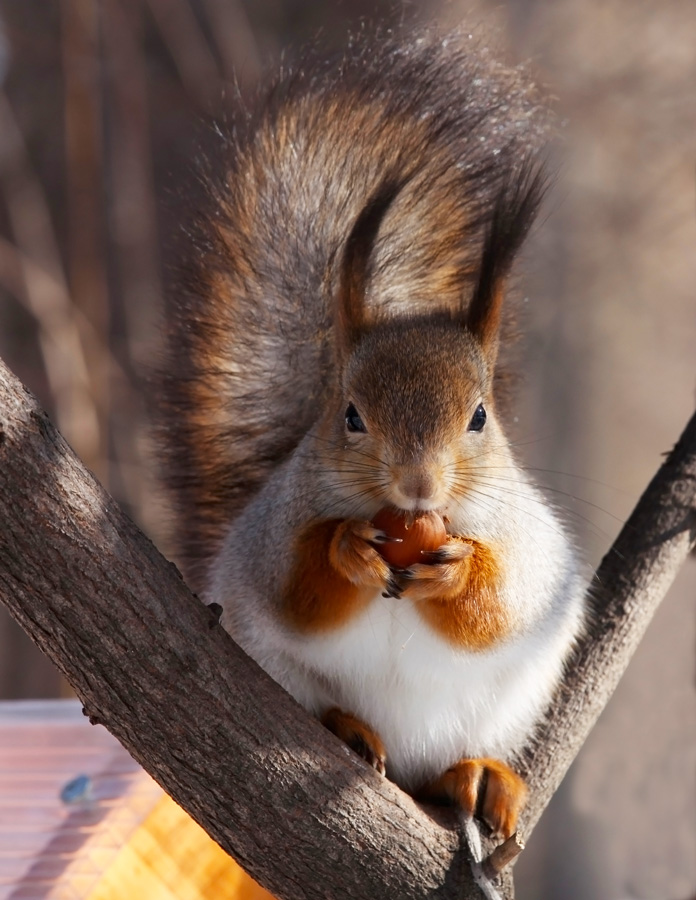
x,y
250,352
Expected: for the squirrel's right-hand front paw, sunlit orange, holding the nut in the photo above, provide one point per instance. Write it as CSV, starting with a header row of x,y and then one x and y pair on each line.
x,y
445,574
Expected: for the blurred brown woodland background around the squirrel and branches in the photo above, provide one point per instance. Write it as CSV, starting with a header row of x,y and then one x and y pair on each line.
x,y
105,105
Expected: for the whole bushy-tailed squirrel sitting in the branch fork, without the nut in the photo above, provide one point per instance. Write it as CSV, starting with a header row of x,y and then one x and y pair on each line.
x,y
333,351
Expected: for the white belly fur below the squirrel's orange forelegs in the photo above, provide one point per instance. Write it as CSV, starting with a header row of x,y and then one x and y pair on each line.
x,y
431,703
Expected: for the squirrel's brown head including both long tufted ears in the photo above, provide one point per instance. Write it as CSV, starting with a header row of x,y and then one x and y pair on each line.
x,y
415,418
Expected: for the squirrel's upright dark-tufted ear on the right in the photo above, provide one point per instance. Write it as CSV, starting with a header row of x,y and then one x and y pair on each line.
x,y
514,211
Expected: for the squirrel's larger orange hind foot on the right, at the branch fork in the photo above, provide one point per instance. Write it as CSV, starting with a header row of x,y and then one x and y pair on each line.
x,y
485,788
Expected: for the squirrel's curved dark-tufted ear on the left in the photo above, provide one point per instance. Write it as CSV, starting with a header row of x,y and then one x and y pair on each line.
x,y
351,311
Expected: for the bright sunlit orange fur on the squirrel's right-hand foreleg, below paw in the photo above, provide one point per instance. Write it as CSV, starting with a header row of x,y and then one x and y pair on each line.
x,y
470,614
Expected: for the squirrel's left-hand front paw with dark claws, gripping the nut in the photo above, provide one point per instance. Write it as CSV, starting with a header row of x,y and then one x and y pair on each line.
x,y
353,555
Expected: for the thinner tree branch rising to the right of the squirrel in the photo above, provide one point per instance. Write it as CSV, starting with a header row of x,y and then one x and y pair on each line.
x,y
628,587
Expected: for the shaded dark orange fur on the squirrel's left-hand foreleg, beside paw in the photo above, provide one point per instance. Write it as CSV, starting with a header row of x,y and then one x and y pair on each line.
x,y
316,597
